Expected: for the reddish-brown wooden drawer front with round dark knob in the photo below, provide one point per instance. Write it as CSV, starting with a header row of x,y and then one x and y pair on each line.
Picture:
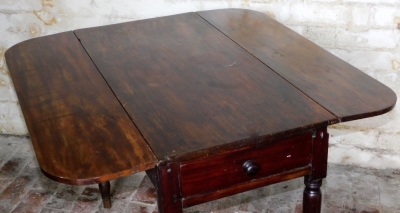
x,y
227,169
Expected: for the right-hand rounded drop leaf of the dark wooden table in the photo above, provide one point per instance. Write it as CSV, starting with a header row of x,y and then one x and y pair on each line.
x,y
339,87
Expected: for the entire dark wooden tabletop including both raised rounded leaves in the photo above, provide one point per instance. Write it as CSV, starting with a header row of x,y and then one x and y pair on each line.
x,y
109,101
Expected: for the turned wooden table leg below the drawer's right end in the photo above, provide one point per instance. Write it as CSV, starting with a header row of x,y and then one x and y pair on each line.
x,y
312,196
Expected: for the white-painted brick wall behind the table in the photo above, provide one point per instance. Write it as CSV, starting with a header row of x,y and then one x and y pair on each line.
x,y
365,33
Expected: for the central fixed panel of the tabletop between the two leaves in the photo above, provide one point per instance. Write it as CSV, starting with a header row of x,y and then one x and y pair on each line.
x,y
191,91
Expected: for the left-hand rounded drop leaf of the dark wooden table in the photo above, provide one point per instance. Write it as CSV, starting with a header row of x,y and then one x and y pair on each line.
x,y
80,132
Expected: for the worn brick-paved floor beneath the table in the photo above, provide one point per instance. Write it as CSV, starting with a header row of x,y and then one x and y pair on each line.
x,y
346,189
